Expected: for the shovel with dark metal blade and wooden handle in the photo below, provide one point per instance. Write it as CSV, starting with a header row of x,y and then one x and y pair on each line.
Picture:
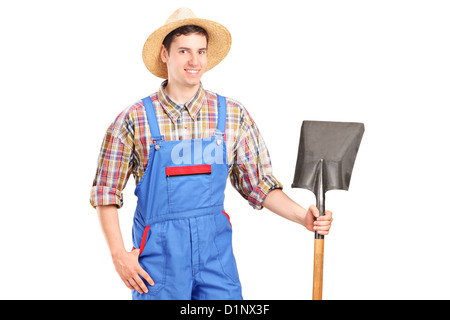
x,y
326,155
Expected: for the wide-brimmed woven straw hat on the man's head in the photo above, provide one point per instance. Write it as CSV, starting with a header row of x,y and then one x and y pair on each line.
x,y
219,41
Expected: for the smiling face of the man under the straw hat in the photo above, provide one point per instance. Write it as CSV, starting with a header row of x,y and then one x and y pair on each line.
x,y
186,61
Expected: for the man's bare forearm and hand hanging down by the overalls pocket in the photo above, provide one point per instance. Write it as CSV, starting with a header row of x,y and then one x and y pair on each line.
x,y
126,263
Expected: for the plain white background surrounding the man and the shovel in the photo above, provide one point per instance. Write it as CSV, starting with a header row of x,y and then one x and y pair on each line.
x,y
68,68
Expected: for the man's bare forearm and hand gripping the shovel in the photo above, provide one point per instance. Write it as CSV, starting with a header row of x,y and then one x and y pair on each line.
x,y
278,202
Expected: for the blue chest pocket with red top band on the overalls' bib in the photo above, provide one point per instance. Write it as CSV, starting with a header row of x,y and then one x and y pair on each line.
x,y
189,187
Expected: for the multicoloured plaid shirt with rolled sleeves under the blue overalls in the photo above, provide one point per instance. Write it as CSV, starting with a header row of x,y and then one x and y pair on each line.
x,y
126,145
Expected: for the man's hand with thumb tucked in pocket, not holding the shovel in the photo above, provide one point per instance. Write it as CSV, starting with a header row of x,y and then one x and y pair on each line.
x,y
130,271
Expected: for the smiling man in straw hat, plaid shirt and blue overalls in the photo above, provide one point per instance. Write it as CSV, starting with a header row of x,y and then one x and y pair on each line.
x,y
181,143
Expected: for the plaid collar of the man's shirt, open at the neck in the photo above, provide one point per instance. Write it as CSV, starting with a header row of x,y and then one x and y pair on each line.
x,y
174,110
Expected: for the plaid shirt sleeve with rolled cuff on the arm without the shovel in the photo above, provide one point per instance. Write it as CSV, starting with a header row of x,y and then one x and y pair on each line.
x,y
115,165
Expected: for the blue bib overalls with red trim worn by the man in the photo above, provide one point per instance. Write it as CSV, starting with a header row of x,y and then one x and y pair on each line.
x,y
180,226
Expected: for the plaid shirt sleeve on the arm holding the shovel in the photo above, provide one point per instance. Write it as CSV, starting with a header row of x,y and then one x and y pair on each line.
x,y
251,173
